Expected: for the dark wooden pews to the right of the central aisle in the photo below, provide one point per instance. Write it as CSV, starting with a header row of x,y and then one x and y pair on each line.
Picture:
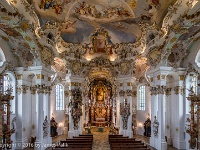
x,y
118,142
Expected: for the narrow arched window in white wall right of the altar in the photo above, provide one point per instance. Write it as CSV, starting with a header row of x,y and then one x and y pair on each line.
x,y
141,98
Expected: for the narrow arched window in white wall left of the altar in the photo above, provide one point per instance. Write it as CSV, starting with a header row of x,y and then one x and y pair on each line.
x,y
59,97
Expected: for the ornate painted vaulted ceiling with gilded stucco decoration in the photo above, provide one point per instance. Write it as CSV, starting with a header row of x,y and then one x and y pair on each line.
x,y
100,38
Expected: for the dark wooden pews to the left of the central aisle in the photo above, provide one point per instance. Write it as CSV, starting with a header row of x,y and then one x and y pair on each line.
x,y
81,142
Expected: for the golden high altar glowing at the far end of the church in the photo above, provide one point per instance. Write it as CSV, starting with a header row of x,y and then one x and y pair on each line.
x,y
100,108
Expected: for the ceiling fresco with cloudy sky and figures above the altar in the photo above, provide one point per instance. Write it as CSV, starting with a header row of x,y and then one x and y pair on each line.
x,y
79,19
